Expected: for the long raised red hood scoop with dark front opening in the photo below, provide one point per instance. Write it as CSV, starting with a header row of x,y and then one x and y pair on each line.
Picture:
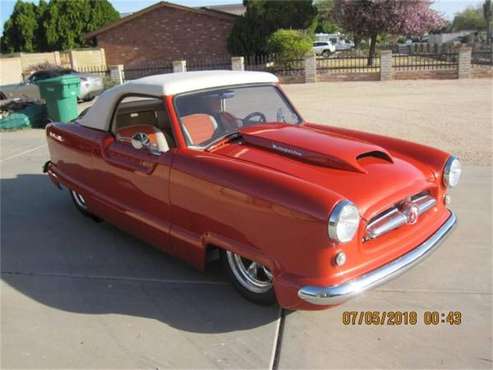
x,y
314,146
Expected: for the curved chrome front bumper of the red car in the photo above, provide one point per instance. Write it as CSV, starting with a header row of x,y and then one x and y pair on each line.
x,y
332,295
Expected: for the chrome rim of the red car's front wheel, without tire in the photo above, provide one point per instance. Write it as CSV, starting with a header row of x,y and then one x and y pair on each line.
x,y
247,273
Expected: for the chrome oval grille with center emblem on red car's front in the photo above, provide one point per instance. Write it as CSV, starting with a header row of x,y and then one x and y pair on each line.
x,y
406,212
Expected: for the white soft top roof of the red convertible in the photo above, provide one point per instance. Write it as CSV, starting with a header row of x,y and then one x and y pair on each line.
x,y
99,115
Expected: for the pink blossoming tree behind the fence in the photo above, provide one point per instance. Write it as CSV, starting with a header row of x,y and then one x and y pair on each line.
x,y
370,18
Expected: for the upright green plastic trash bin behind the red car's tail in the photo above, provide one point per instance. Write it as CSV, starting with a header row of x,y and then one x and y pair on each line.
x,y
60,94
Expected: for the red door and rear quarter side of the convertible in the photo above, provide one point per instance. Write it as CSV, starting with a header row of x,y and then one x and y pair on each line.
x,y
77,154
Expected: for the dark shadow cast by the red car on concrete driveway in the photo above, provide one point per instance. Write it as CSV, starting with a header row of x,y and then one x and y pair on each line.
x,y
55,256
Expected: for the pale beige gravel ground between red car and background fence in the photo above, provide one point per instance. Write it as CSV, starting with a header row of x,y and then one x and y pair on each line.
x,y
453,115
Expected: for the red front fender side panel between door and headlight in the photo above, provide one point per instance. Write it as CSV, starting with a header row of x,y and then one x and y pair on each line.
x,y
219,202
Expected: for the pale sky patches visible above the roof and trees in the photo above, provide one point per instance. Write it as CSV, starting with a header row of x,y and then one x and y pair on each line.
x,y
446,7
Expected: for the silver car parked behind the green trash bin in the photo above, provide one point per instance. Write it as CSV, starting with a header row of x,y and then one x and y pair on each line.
x,y
90,85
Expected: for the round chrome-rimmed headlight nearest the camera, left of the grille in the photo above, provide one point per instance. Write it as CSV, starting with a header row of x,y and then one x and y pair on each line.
x,y
343,222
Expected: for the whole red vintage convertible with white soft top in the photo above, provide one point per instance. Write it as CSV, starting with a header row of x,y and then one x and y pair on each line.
x,y
219,164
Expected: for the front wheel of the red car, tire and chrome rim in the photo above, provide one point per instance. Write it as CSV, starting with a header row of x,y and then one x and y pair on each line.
x,y
251,279
